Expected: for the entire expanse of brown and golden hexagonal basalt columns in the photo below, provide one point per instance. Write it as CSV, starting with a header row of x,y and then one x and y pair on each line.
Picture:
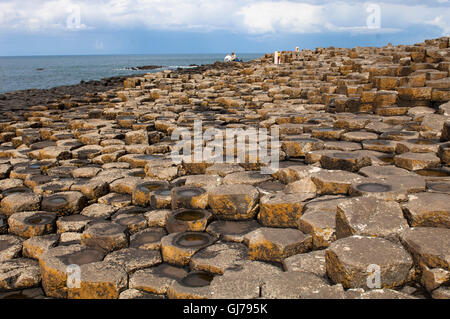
x,y
89,187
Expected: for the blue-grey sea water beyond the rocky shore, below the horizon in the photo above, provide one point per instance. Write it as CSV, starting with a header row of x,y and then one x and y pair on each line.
x,y
20,73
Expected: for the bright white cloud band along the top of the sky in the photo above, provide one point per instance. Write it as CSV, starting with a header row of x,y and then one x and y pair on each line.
x,y
244,16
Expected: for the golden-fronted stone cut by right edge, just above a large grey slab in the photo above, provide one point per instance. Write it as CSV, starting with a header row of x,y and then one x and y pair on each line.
x,y
428,210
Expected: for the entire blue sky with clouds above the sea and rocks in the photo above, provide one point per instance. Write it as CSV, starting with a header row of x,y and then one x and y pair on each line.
x,y
72,27
